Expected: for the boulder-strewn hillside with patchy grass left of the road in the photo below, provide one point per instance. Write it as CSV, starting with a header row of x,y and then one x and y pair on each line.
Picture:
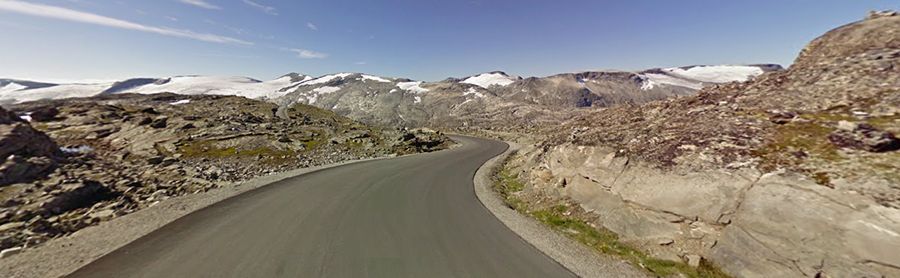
x,y
71,163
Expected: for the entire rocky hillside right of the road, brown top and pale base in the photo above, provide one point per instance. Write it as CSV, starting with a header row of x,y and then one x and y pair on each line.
x,y
791,174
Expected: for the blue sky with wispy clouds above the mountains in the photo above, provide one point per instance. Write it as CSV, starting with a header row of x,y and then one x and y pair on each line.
x,y
418,39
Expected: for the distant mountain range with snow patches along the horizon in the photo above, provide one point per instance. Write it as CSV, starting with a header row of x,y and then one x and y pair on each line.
x,y
399,101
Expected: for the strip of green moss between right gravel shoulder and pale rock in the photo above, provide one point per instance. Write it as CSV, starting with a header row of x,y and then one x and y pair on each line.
x,y
601,239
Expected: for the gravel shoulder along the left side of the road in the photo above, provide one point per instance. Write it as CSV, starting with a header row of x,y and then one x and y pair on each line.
x,y
62,256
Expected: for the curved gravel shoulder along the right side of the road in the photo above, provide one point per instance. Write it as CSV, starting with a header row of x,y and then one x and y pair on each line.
x,y
576,257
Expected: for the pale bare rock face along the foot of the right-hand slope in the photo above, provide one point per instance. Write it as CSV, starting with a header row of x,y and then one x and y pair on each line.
x,y
753,225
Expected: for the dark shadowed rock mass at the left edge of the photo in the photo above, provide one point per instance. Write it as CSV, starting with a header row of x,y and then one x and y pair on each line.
x,y
25,152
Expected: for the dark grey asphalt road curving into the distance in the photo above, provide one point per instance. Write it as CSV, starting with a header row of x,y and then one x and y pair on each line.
x,y
413,216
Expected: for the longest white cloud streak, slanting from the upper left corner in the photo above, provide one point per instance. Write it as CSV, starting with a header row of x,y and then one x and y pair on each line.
x,y
83,17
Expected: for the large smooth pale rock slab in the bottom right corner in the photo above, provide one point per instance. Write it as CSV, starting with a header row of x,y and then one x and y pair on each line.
x,y
806,224
